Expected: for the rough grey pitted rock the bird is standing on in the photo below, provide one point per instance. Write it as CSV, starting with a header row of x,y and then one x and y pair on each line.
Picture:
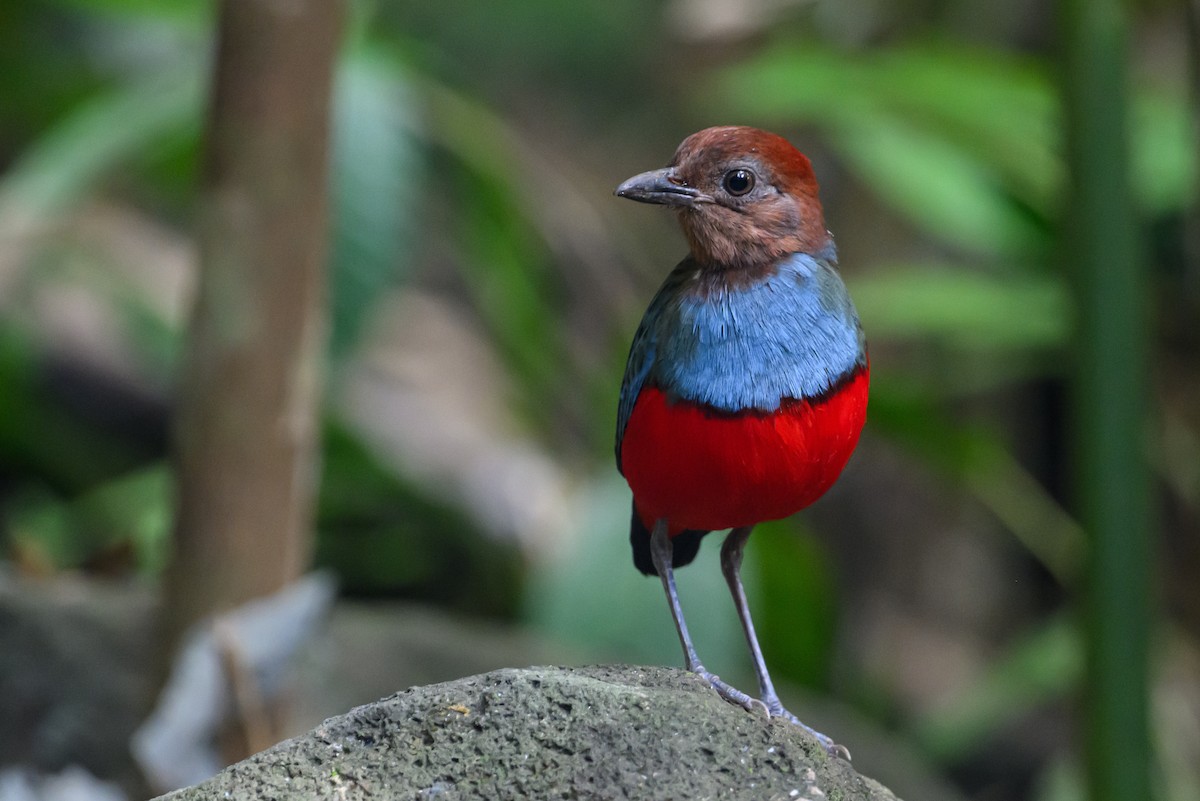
x,y
547,733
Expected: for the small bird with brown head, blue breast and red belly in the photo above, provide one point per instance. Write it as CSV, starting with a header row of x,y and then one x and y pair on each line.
x,y
747,383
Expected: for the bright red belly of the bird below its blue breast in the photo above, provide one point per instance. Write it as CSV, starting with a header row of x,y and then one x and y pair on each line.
x,y
711,471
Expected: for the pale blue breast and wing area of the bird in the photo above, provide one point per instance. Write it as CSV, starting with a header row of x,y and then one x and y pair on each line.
x,y
736,346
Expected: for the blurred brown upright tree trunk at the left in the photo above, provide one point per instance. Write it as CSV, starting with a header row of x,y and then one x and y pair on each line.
x,y
245,429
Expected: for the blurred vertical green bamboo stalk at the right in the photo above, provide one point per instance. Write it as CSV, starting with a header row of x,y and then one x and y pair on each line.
x,y
1111,407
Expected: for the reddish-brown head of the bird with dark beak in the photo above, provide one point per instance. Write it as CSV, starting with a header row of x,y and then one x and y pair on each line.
x,y
746,197
